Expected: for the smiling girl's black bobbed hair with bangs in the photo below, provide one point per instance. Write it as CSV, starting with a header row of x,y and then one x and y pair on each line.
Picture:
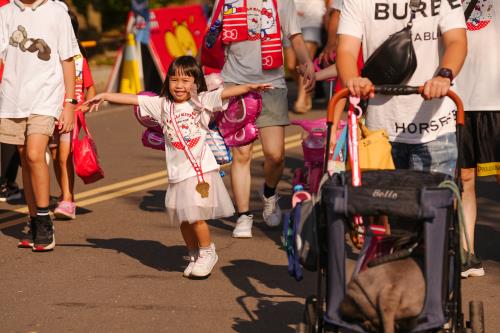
x,y
188,66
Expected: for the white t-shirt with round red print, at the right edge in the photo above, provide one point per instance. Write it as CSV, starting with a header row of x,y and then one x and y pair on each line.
x,y
479,80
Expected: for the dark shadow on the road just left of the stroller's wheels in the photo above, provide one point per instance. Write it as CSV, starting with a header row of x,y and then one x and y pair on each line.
x,y
274,313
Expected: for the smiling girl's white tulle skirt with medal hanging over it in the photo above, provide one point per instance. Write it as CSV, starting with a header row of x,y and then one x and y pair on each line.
x,y
184,204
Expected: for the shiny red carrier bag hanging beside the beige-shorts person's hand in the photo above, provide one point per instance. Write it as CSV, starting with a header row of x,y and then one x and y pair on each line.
x,y
85,156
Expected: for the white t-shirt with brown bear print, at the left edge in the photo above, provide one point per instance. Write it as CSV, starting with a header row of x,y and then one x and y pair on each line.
x,y
32,44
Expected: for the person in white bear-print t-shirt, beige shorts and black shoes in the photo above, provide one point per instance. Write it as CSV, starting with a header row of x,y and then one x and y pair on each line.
x,y
38,44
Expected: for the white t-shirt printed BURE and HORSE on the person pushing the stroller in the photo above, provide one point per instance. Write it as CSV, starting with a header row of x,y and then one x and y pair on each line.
x,y
407,119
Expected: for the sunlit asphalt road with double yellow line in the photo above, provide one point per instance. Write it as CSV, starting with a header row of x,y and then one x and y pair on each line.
x,y
118,266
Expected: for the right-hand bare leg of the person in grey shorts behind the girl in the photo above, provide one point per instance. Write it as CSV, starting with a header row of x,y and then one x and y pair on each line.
x,y
273,146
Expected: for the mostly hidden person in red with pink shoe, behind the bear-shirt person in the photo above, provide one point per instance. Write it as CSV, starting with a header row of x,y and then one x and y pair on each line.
x,y
60,144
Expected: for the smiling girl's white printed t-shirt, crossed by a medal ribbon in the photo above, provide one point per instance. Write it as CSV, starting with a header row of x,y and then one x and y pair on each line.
x,y
192,123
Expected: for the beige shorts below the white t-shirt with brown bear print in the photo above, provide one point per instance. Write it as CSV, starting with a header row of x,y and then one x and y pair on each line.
x,y
15,130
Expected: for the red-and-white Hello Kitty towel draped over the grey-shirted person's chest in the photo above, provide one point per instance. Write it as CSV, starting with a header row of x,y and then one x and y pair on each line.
x,y
242,22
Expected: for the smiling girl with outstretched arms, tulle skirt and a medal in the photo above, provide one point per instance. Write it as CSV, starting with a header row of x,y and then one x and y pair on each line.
x,y
196,192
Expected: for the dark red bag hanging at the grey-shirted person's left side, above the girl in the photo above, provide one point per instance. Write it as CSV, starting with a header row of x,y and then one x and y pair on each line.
x,y
213,57
